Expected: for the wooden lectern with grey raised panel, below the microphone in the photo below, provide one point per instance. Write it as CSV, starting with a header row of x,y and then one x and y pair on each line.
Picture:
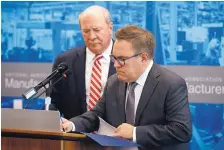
x,y
40,130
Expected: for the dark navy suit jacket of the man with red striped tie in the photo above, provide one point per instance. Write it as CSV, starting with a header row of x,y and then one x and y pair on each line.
x,y
69,95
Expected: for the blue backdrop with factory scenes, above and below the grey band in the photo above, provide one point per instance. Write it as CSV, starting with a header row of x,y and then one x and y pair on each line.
x,y
187,33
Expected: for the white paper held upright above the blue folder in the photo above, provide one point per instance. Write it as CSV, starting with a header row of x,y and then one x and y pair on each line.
x,y
109,130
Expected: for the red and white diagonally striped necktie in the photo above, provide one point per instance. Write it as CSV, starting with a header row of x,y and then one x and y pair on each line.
x,y
95,83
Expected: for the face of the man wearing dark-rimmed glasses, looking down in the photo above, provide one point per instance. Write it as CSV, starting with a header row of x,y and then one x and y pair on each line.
x,y
133,66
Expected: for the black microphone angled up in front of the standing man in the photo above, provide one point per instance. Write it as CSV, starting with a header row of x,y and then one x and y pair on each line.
x,y
61,70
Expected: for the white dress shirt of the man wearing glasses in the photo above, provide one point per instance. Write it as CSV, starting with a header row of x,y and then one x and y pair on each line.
x,y
138,91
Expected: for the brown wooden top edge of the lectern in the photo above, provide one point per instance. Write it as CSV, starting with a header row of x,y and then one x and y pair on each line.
x,y
42,134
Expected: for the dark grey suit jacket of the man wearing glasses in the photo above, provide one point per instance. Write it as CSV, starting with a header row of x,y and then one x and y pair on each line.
x,y
163,120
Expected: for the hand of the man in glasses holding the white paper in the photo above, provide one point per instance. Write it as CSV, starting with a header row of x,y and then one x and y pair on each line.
x,y
124,131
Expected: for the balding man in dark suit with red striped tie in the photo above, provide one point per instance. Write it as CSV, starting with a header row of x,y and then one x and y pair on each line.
x,y
71,95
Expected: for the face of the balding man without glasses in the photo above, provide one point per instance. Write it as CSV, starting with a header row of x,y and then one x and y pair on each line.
x,y
96,32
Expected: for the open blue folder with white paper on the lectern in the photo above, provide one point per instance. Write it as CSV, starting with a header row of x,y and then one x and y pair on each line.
x,y
104,137
